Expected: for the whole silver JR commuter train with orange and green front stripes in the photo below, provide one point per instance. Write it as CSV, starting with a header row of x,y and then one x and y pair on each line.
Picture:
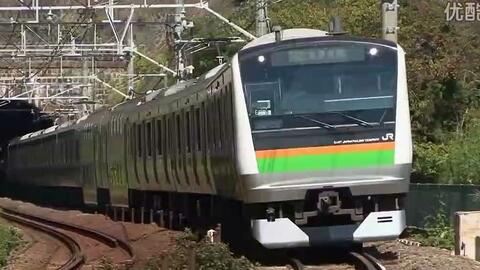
x,y
304,136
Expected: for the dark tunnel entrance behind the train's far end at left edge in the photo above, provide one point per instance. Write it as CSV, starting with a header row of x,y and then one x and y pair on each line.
x,y
16,119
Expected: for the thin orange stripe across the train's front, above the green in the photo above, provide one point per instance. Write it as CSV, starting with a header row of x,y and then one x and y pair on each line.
x,y
333,149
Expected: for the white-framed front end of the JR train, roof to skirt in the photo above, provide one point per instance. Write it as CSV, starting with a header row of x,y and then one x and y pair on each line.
x,y
323,138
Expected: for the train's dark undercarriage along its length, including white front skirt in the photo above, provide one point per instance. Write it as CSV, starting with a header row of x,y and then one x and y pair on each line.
x,y
324,217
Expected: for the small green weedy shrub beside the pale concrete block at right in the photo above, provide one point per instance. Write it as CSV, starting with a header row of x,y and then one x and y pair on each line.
x,y
438,231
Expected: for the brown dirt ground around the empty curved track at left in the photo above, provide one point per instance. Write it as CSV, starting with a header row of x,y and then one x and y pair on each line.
x,y
148,240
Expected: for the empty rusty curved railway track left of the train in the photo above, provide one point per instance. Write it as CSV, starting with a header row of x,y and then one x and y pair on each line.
x,y
63,232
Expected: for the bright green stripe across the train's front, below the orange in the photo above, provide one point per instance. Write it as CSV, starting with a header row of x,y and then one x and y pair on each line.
x,y
325,161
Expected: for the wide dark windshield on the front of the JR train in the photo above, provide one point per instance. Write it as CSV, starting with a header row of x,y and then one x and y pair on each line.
x,y
341,82
